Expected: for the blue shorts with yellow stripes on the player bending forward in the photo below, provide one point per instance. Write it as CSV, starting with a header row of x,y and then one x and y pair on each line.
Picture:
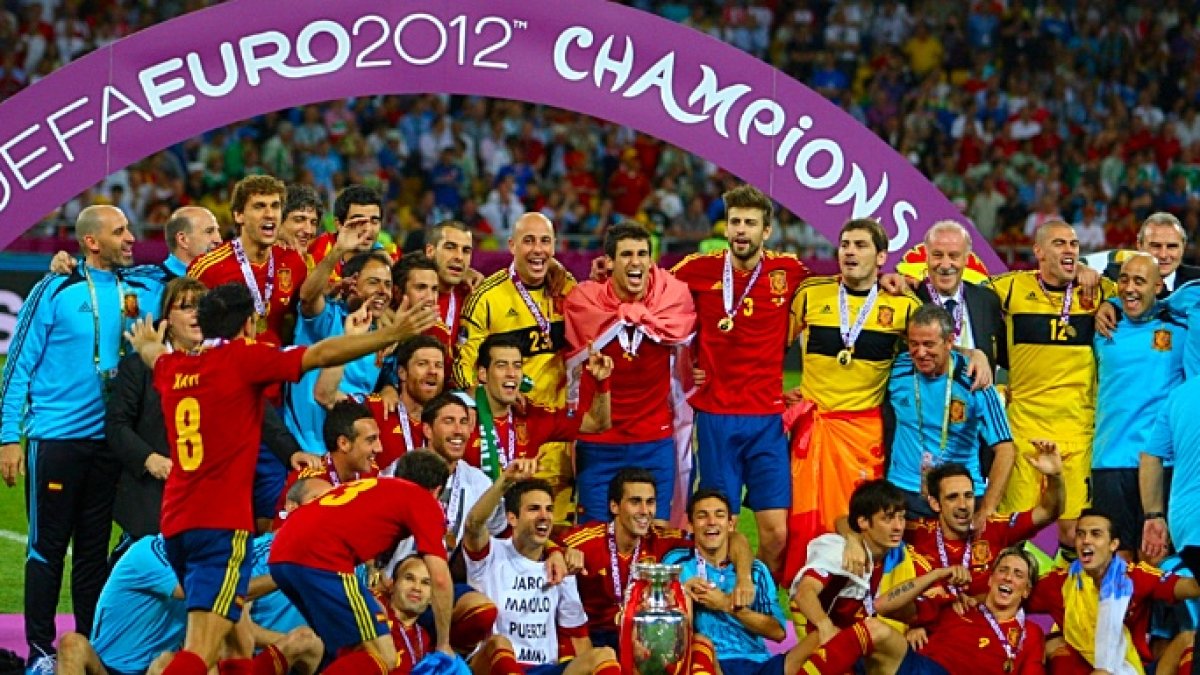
x,y
337,605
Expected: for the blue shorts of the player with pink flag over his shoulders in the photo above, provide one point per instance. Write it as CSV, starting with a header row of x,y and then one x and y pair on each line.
x,y
597,464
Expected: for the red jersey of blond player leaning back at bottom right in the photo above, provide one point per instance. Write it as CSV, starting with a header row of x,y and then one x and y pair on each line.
x,y
968,644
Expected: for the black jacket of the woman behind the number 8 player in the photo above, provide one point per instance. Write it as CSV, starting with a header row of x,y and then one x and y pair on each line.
x,y
135,428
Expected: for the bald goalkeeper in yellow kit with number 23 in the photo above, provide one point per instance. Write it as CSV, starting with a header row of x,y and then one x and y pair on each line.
x,y
518,301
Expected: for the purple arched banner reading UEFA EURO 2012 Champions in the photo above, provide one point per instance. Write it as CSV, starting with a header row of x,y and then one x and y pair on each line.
x,y
250,57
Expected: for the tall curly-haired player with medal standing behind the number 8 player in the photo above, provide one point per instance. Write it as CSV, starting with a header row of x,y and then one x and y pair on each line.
x,y
273,273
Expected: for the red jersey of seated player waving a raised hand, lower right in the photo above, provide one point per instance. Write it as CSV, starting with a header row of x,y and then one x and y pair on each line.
x,y
1001,533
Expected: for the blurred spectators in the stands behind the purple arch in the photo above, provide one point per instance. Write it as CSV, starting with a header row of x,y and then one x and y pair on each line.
x,y
1021,112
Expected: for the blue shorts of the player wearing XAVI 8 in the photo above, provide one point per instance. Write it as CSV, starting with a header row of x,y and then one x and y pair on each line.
x,y
213,568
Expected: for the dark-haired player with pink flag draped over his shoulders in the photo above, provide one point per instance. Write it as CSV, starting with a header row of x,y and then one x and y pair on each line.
x,y
643,319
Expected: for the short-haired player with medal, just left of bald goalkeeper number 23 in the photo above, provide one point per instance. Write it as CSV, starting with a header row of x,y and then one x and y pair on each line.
x,y
449,246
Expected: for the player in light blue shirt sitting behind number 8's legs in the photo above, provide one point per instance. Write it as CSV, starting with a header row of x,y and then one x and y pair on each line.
x,y
142,614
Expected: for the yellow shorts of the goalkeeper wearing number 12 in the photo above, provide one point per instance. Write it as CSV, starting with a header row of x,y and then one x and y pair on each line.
x,y
1025,483
